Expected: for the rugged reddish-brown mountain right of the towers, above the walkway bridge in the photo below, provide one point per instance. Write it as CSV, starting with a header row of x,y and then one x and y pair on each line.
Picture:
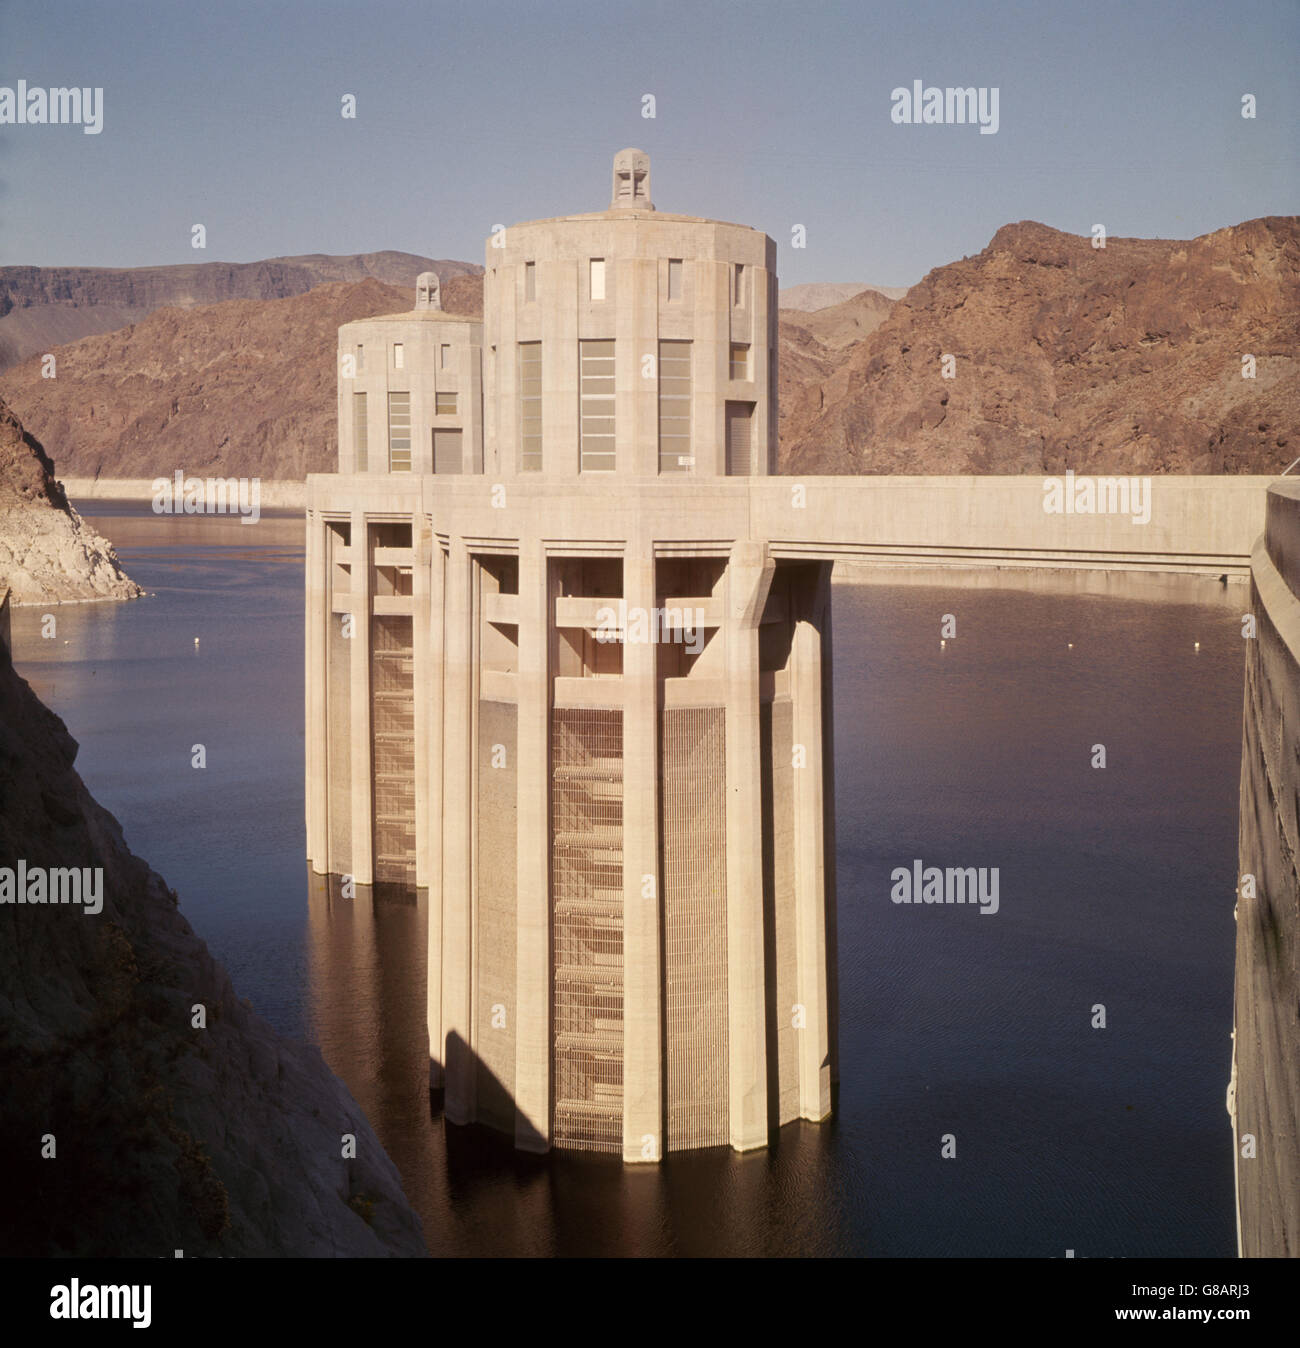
x,y
1125,359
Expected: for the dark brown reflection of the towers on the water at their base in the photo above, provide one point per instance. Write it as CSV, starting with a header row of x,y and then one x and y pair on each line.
x,y
477,1195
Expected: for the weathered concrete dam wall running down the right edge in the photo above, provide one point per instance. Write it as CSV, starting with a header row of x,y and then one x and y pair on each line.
x,y
1266,1094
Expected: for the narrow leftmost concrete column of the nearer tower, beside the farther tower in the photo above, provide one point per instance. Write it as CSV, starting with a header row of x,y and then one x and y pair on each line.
x,y
431,772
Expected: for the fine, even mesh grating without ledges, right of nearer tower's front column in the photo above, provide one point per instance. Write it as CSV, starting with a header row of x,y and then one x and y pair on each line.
x,y
695,927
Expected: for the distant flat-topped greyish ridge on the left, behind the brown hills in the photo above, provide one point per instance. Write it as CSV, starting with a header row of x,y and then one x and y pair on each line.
x,y
42,308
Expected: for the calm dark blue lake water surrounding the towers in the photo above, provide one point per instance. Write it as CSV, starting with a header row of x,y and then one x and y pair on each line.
x,y
1116,888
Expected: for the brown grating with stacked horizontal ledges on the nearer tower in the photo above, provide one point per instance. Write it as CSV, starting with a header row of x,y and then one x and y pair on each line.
x,y
587,916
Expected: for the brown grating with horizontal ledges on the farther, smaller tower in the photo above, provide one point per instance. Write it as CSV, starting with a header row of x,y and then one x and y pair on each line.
x,y
393,668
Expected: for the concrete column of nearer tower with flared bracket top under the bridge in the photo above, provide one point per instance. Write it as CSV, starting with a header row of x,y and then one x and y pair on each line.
x,y
749,579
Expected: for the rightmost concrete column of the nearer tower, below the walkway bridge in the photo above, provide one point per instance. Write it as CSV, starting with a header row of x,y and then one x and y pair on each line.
x,y
810,850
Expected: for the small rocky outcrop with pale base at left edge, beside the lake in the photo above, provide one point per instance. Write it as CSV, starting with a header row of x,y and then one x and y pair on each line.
x,y
48,555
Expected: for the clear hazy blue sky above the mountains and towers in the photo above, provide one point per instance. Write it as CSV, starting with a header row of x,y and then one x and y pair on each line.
x,y
1125,113
